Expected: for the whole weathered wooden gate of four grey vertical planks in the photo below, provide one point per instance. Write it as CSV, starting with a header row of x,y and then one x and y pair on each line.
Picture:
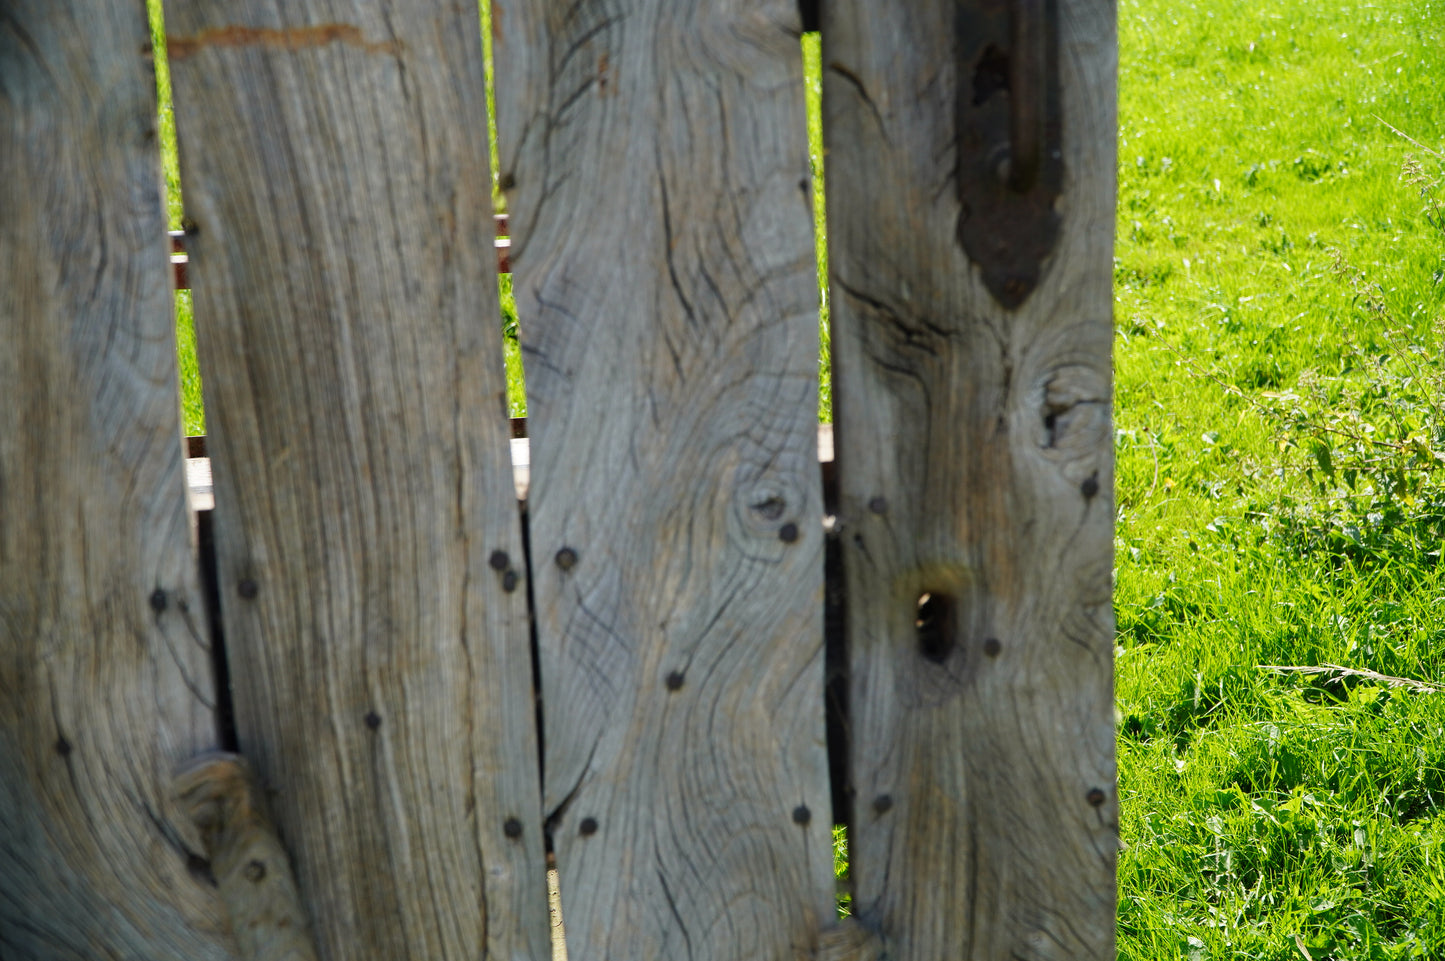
x,y
439,689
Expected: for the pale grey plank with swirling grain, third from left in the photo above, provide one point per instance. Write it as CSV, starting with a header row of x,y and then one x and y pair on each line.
x,y
676,504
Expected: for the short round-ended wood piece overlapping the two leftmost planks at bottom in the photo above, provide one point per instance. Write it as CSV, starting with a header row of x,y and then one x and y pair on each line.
x,y
220,794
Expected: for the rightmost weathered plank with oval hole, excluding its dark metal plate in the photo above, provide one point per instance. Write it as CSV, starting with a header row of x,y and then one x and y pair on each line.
x,y
975,466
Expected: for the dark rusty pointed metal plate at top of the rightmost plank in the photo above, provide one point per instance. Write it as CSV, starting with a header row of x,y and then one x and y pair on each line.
x,y
1009,141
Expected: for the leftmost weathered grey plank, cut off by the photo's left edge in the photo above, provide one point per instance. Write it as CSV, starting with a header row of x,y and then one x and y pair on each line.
x,y
105,654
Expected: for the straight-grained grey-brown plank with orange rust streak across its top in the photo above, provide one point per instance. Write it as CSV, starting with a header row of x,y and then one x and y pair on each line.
x,y
342,255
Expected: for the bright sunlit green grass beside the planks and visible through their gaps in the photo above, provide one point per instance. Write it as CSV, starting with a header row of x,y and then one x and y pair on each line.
x,y
1280,309
